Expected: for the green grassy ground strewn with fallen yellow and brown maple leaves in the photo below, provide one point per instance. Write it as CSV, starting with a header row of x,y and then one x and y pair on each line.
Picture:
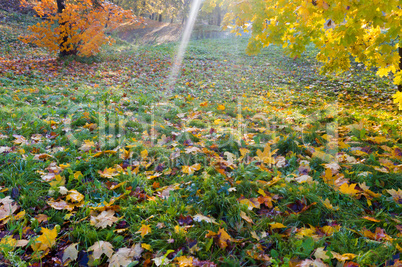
x,y
245,161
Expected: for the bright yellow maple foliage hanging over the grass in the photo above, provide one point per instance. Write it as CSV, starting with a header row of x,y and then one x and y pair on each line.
x,y
368,31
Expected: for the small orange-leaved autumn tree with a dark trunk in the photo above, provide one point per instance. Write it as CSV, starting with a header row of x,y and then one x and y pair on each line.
x,y
75,27
